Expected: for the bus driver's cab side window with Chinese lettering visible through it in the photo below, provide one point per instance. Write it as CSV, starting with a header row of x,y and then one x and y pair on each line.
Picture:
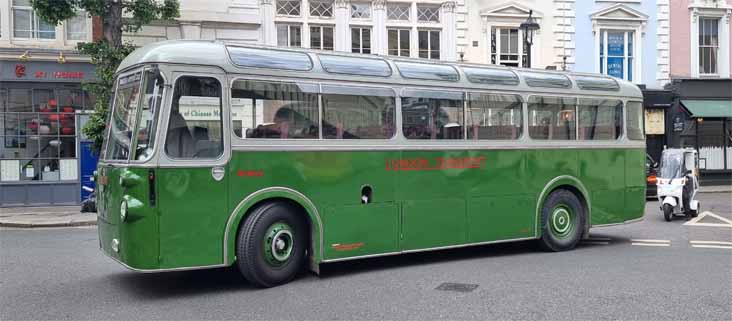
x,y
195,123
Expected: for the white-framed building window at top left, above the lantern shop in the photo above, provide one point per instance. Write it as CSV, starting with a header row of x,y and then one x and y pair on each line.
x,y
26,24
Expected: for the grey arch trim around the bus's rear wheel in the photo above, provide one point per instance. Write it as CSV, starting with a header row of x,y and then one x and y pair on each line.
x,y
573,185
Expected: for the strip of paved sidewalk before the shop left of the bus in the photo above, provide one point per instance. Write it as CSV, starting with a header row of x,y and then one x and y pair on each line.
x,y
56,216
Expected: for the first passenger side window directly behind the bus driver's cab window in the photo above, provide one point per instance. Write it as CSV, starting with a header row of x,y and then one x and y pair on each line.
x,y
274,110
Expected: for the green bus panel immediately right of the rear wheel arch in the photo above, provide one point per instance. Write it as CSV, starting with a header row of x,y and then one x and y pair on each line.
x,y
603,173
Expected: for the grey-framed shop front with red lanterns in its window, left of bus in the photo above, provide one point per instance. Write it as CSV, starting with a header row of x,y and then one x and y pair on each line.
x,y
42,110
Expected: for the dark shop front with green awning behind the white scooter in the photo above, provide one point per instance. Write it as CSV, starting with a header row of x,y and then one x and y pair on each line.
x,y
702,119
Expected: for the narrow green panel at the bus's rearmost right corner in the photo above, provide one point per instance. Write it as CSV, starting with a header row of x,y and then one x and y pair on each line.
x,y
635,178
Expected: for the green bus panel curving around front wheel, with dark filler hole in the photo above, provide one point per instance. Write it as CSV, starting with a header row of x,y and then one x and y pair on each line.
x,y
333,181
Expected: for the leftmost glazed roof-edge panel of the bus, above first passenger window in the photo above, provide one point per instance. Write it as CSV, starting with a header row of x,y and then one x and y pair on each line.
x,y
270,58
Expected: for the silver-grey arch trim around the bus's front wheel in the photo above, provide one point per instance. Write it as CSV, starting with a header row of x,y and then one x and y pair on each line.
x,y
299,203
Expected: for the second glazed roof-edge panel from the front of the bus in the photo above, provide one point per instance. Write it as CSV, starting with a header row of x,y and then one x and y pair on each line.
x,y
355,66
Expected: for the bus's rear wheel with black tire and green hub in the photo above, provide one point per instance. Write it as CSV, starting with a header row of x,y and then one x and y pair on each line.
x,y
551,237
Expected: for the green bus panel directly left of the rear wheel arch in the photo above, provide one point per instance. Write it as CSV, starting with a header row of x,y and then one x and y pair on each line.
x,y
499,203
